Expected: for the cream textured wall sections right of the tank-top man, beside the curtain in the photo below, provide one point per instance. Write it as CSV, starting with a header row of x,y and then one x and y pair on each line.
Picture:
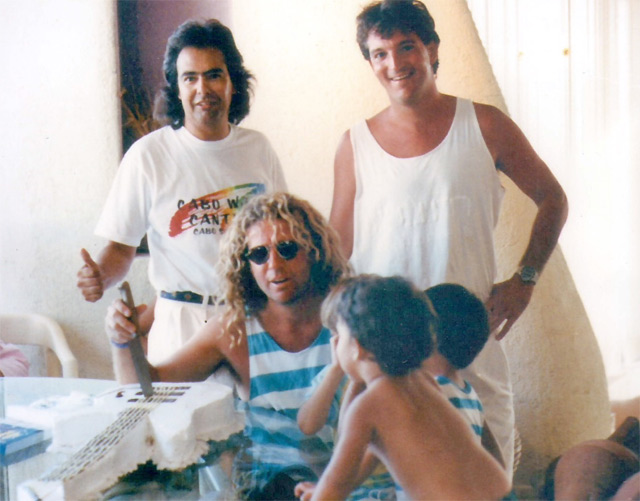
x,y
558,375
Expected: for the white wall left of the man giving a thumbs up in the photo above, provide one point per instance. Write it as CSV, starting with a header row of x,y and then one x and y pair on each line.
x,y
59,151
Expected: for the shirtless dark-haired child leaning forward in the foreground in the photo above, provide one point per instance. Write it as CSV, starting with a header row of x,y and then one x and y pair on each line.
x,y
383,328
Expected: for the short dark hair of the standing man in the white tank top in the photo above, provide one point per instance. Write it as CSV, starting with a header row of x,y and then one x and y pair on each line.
x,y
388,16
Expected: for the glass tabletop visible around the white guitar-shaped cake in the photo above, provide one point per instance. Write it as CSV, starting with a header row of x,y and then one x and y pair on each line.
x,y
272,453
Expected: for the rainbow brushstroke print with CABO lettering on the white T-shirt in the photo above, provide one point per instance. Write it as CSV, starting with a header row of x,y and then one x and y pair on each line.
x,y
212,214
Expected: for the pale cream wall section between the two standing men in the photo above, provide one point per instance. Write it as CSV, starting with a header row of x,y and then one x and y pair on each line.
x,y
309,88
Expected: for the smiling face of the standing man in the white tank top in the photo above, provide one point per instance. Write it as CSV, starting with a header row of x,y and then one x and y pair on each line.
x,y
403,65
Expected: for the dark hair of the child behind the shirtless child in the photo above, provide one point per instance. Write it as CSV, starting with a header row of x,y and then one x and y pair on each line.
x,y
463,323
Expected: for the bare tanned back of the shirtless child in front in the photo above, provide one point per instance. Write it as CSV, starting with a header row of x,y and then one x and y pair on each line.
x,y
425,443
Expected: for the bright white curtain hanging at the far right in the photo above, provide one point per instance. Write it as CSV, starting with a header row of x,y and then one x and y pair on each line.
x,y
570,74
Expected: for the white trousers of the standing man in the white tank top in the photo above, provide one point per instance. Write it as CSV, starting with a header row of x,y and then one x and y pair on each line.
x,y
489,376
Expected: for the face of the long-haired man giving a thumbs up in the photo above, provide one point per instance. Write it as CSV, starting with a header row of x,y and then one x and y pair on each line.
x,y
205,90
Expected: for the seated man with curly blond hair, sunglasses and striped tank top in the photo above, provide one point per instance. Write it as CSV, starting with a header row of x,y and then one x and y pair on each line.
x,y
278,260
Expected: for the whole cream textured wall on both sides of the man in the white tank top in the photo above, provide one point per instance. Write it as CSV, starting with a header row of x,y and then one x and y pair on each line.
x,y
313,84
